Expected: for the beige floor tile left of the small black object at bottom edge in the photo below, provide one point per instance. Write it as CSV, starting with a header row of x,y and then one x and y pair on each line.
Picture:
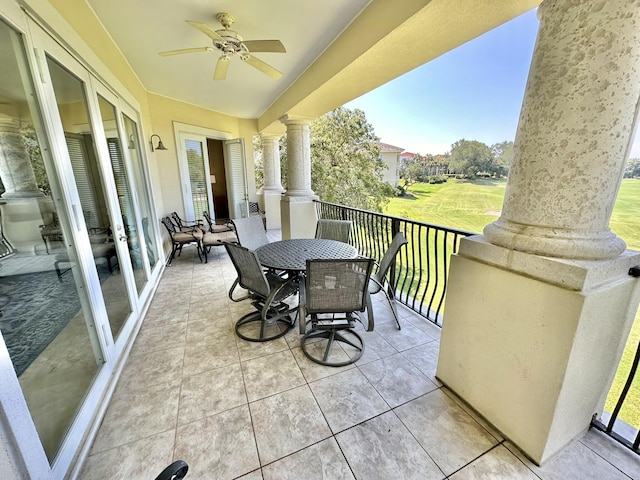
x,y
144,458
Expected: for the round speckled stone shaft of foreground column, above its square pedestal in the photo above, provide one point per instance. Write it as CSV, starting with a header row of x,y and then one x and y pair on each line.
x,y
574,133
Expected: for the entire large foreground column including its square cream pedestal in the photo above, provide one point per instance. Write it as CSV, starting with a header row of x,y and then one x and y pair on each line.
x,y
538,310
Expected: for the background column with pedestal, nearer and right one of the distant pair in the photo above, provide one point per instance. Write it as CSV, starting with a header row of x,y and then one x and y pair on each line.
x,y
298,210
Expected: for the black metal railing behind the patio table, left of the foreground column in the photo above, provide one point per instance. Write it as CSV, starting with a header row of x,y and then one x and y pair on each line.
x,y
419,275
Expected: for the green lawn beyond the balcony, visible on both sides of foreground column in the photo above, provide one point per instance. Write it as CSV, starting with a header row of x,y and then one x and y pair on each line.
x,y
472,205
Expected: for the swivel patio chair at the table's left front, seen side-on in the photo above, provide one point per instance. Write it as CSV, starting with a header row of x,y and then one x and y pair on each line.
x,y
267,292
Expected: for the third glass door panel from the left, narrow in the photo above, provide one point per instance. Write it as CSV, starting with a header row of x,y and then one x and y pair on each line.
x,y
125,199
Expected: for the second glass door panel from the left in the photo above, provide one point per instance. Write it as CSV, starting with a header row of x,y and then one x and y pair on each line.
x,y
93,190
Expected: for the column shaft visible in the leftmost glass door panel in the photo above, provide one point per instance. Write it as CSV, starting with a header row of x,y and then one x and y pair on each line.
x,y
15,166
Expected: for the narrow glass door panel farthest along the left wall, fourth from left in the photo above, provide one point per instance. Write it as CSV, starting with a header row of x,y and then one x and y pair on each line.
x,y
142,192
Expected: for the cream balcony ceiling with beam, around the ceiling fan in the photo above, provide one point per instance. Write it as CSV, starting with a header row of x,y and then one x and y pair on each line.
x,y
336,50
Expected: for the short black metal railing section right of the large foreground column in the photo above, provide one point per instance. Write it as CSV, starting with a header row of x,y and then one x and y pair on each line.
x,y
611,423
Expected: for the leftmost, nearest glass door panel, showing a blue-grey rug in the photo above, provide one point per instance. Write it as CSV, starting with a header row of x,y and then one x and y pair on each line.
x,y
45,317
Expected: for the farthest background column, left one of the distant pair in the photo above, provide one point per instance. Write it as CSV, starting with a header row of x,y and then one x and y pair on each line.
x,y
272,189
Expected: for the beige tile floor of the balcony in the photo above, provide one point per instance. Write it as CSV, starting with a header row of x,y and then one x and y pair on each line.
x,y
193,390
